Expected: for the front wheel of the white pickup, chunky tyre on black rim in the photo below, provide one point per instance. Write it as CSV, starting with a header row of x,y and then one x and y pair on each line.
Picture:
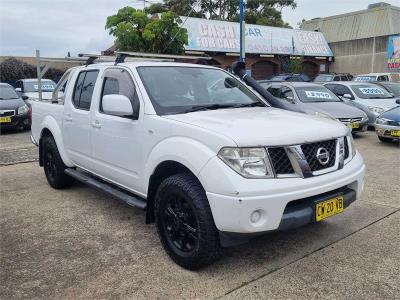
x,y
185,224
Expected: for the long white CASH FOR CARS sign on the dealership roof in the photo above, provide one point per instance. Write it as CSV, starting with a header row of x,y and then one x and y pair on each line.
x,y
221,36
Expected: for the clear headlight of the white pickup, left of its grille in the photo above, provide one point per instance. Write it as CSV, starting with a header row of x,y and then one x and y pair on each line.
x,y
248,162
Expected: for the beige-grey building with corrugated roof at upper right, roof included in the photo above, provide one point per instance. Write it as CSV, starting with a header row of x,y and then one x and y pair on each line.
x,y
359,40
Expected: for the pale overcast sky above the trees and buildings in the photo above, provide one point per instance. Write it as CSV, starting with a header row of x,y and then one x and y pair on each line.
x,y
57,27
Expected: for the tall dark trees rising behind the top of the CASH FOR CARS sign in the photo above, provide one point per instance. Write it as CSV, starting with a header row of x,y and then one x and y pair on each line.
x,y
261,12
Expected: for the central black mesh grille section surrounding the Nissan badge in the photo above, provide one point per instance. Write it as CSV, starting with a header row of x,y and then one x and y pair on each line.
x,y
310,152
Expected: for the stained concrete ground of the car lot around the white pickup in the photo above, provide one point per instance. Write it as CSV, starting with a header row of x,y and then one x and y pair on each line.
x,y
79,243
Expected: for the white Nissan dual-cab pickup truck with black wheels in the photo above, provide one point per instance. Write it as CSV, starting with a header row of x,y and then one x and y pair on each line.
x,y
204,154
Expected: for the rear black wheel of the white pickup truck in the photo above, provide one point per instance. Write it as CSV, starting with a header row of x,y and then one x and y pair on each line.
x,y
54,166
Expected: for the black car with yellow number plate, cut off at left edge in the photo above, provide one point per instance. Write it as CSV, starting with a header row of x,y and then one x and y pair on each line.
x,y
14,112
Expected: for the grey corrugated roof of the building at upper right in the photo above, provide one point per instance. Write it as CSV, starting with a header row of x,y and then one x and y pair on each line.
x,y
367,23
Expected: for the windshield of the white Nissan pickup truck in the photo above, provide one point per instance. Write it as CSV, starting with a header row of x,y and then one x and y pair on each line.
x,y
174,90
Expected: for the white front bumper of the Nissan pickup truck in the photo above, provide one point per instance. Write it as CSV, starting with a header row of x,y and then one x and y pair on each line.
x,y
234,199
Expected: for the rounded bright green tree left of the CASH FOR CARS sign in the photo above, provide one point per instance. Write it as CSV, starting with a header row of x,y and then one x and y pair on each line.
x,y
135,31
